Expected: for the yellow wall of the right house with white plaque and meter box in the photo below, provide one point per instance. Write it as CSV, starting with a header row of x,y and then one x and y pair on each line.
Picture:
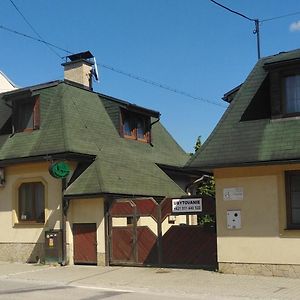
x,y
263,237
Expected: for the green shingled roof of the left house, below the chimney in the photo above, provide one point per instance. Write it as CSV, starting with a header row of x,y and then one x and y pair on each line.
x,y
74,120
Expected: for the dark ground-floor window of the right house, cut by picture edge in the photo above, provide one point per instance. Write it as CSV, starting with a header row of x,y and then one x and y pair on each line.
x,y
293,199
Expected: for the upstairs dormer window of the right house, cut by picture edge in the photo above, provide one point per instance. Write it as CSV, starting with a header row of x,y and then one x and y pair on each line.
x,y
292,94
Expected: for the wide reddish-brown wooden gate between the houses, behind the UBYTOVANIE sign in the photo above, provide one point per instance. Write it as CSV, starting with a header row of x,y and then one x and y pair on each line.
x,y
143,232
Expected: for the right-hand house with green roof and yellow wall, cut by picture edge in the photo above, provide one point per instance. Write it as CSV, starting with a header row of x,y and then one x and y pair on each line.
x,y
254,155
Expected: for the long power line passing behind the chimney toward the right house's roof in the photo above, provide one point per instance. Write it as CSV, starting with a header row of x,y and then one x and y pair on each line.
x,y
130,75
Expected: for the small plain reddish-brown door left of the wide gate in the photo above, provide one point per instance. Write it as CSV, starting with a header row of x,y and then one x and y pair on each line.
x,y
85,243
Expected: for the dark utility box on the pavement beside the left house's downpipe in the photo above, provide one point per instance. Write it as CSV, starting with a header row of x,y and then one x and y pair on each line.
x,y
53,246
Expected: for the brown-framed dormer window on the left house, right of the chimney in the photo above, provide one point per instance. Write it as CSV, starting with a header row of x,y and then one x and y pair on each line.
x,y
135,126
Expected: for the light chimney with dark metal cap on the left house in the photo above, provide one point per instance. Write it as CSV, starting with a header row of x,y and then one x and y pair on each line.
x,y
78,69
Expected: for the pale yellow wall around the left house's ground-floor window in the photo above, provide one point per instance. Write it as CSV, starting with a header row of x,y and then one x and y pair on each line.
x,y
23,233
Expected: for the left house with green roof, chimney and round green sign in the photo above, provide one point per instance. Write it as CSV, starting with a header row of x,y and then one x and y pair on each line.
x,y
66,153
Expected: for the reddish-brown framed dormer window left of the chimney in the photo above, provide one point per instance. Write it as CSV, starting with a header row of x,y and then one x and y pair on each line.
x,y
26,114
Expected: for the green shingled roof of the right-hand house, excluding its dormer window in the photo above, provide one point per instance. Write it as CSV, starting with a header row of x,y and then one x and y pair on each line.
x,y
236,141
